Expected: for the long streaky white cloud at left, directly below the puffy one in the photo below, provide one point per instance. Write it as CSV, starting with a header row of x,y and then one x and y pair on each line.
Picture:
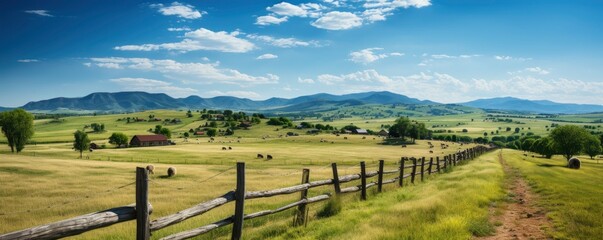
x,y
192,72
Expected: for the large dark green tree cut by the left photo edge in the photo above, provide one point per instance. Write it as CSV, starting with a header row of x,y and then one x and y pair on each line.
x,y
17,126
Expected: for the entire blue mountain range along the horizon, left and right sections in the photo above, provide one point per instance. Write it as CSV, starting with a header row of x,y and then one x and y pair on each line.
x,y
138,101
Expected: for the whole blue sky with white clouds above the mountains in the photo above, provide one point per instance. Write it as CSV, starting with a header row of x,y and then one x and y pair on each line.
x,y
441,50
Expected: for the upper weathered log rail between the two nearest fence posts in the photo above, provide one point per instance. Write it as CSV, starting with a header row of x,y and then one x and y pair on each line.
x,y
191,212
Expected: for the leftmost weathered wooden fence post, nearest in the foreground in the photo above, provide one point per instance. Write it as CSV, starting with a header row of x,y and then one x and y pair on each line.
x,y
143,231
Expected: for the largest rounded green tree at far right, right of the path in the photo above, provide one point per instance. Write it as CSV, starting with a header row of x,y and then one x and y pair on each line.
x,y
569,140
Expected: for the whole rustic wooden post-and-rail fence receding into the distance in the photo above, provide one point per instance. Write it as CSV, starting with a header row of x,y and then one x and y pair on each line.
x,y
141,210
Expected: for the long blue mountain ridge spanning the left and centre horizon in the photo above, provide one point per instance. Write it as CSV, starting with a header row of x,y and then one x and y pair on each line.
x,y
136,101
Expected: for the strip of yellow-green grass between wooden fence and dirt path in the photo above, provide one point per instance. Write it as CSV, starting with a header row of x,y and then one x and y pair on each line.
x,y
448,206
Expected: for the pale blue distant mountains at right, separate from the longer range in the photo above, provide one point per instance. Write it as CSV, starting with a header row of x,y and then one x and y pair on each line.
x,y
535,106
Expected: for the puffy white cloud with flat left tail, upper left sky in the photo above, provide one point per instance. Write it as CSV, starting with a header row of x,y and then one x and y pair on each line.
x,y
200,39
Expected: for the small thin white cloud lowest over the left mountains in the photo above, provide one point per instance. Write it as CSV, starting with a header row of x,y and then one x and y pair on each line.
x,y
151,85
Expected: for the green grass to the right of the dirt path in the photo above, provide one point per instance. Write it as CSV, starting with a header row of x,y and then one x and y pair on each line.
x,y
572,198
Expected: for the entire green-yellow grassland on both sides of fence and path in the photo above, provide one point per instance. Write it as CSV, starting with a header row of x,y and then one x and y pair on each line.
x,y
47,182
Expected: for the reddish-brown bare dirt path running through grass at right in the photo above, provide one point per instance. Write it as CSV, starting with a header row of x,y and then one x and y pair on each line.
x,y
521,218
